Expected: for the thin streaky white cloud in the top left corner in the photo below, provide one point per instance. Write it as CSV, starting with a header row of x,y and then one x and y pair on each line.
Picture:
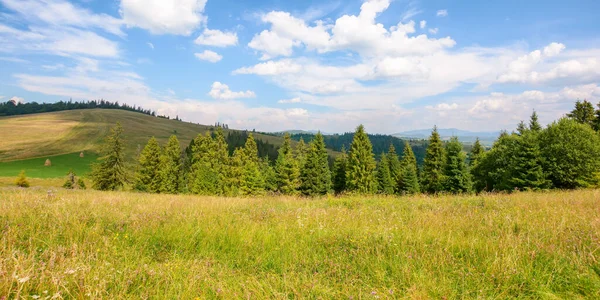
x,y
63,13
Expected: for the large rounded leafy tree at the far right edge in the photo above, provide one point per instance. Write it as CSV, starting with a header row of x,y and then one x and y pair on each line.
x,y
571,153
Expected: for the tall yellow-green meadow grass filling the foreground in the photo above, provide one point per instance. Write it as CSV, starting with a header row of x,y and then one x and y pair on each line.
x,y
81,244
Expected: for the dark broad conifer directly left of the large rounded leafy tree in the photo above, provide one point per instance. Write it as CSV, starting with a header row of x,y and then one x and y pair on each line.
x,y
526,171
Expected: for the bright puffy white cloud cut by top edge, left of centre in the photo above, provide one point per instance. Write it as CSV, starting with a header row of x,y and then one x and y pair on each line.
x,y
180,17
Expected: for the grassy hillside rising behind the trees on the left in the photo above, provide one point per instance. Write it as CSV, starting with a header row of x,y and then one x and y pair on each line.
x,y
28,140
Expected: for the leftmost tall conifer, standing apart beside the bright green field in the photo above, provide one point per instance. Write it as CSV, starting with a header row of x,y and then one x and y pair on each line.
x,y
109,173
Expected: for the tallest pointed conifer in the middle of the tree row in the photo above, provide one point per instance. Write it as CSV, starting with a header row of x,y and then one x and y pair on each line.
x,y
360,174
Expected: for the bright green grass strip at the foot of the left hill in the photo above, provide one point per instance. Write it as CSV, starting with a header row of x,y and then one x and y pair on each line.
x,y
61,165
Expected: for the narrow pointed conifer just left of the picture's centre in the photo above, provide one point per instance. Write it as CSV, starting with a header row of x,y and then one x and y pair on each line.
x,y
286,168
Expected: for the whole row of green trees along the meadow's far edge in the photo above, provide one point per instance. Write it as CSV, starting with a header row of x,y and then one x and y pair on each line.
x,y
564,155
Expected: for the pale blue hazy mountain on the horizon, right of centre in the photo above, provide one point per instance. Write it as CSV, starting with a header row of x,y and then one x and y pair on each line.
x,y
464,136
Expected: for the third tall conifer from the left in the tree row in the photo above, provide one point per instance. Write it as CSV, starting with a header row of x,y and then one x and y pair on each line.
x,y
171,180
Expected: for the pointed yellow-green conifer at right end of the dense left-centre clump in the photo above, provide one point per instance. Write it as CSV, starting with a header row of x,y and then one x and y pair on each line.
x,y
252,182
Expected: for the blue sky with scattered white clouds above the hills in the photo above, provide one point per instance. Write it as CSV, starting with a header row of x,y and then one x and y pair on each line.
x,y
271,65
